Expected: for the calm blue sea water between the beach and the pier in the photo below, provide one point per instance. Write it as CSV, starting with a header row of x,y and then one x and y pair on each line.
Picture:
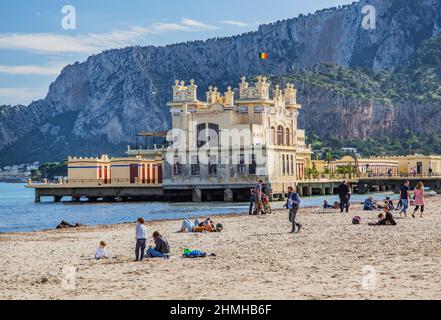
x,y
18,212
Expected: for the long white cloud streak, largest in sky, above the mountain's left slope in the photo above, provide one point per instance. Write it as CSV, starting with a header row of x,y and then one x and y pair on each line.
x,y
93,42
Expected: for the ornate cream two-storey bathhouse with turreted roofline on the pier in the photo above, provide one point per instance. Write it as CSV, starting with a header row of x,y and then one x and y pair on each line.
x,y
222,146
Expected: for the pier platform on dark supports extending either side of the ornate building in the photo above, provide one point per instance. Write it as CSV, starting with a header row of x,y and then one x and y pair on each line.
x,y
126,191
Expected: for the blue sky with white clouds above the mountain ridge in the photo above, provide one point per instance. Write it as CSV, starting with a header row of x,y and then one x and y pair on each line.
x,y
39,37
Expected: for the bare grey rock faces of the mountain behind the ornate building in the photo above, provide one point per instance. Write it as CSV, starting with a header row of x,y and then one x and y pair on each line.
x,y
105,100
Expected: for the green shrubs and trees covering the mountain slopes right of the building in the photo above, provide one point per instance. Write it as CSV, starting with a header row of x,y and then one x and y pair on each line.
x,y
416,83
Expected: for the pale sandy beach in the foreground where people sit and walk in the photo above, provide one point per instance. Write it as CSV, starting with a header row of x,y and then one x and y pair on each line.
x,y
256,258
